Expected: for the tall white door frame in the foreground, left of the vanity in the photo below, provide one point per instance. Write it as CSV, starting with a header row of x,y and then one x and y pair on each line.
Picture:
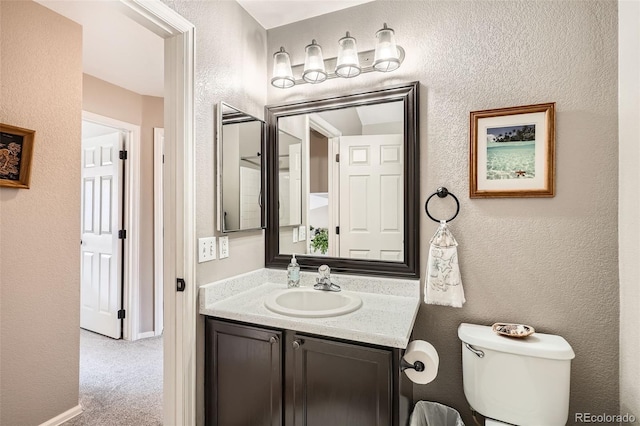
x,y
179,368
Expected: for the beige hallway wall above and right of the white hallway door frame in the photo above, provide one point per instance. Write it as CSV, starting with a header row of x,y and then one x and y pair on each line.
x,y
111,101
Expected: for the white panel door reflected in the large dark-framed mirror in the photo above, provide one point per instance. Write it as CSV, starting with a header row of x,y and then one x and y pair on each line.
x,y
371,197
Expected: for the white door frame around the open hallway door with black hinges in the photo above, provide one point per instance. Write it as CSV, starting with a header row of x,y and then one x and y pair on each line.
x,y
131,266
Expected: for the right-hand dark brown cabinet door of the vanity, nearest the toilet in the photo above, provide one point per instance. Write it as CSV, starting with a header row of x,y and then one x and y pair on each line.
x,y
332,383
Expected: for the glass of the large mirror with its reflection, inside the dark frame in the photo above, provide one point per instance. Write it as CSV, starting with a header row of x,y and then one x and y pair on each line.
x,y
360,215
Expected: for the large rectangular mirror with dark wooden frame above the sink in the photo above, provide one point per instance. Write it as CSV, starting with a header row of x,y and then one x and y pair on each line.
x,y
343,183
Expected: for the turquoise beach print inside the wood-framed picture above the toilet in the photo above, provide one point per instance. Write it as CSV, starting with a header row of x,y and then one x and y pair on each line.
x,y
511,152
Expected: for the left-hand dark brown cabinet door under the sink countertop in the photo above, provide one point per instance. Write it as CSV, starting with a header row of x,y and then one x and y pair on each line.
x,y
243,375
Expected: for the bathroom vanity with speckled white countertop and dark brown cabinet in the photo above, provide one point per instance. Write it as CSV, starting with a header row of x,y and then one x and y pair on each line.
x,y
265,368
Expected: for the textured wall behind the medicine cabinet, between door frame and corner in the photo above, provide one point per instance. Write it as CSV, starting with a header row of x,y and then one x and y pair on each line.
x,y
231,64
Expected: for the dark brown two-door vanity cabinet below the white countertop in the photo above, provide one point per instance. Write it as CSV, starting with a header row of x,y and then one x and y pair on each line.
x,y
257,376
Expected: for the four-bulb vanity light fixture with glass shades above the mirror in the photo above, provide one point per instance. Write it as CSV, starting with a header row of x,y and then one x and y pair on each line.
x,y
386,57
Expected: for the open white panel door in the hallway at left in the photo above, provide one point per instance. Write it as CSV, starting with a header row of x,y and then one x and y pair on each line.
x,y
100,289
